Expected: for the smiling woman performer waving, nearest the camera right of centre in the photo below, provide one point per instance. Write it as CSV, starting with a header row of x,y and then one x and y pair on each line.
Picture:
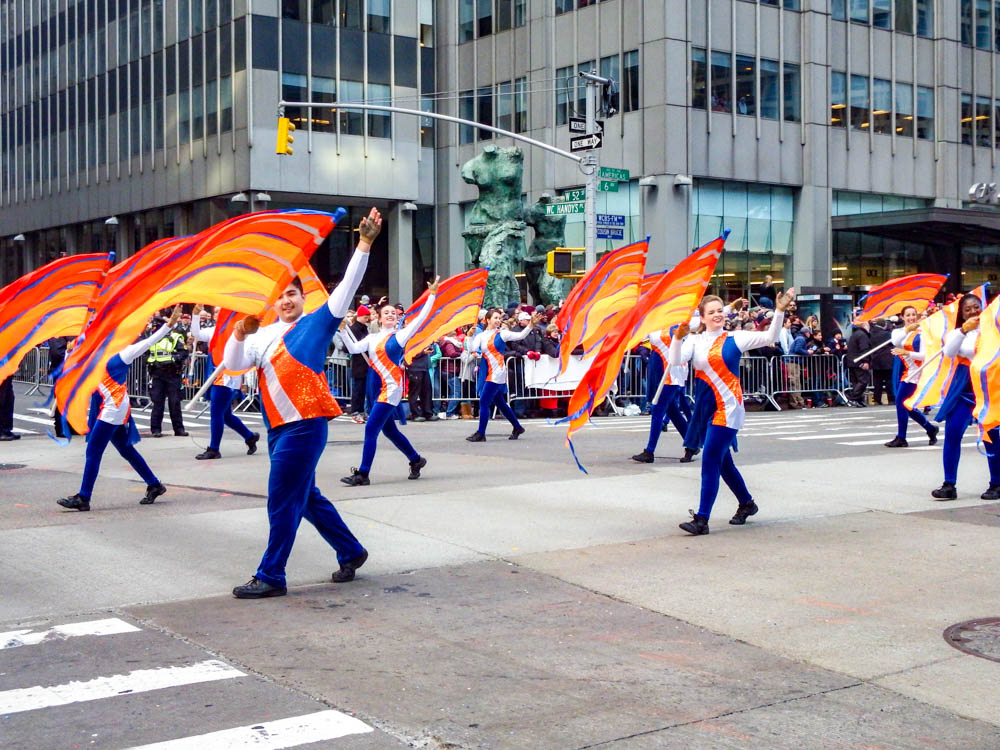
x,y
716,356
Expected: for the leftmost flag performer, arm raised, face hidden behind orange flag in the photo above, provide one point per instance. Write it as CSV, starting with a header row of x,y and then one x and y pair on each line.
x,y
111,422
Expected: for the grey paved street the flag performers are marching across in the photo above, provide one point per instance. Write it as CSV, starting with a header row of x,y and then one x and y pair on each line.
x,y
510,601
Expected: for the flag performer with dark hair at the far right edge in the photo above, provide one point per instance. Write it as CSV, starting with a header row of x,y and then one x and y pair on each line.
x,y
959,400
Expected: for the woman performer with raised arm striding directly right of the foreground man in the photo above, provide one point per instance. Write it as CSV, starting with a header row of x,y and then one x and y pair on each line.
x,y
385,356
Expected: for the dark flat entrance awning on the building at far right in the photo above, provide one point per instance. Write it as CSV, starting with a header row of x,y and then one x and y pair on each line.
x,y
943,227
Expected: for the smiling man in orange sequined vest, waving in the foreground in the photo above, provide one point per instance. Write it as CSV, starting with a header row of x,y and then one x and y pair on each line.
x,y
289,356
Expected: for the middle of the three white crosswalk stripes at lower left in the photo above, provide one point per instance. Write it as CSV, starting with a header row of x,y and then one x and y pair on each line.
x,y
139,681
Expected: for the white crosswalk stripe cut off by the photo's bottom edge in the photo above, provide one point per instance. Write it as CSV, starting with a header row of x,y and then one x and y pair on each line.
x,y
271,735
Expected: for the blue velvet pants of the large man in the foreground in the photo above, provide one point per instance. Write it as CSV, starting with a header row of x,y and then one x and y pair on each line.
x,y
292,495
